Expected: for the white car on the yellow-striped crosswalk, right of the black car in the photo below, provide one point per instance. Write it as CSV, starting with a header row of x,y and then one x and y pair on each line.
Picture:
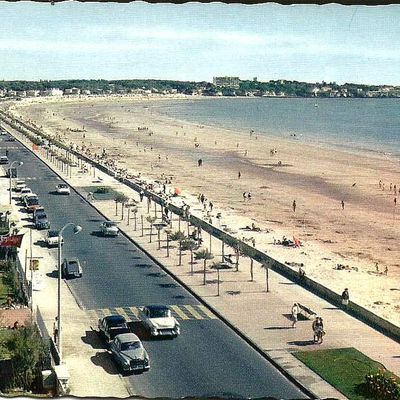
x,y
158,320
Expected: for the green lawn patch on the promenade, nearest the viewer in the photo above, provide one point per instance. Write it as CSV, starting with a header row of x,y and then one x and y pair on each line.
x,y
345,369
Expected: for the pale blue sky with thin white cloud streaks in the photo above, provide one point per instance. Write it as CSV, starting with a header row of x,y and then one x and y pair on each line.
x,y
196,41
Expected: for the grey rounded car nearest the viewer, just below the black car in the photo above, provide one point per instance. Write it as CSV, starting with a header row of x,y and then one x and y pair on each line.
x,y
129,353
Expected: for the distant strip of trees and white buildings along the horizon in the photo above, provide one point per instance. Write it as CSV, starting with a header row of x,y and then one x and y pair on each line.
x,y
221,86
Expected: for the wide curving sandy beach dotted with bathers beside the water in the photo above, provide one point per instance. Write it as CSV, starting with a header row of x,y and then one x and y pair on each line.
x,y
358,236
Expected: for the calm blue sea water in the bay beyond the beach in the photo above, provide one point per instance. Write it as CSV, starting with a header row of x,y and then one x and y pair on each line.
x,y
370,125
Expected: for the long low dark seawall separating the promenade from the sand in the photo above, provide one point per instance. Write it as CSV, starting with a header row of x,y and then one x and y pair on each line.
x,y
354,309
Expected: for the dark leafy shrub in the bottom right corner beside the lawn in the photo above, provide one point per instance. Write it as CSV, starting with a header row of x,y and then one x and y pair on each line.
x,y
382,385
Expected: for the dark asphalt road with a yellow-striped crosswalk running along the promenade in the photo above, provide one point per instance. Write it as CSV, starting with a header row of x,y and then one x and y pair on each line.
x,y
208,359
